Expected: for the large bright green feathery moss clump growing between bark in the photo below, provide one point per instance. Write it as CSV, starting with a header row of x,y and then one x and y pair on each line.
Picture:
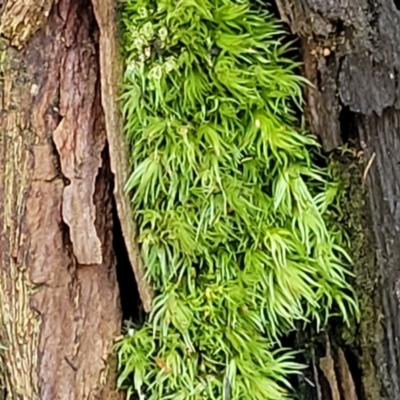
x,y
233,216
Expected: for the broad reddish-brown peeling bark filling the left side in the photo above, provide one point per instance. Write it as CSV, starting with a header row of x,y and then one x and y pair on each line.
x,y
59,303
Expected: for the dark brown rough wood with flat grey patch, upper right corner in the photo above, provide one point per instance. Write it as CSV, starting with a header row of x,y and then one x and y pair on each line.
x,y
351,56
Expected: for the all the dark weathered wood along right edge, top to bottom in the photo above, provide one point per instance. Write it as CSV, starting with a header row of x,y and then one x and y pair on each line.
x,y
351,54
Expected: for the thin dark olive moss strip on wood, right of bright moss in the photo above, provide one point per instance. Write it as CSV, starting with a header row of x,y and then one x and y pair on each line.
x,y
363,337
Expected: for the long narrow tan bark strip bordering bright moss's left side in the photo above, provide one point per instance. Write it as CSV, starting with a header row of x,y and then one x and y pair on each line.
x,y
111,73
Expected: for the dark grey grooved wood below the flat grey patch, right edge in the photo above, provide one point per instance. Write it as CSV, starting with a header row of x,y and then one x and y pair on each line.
x,y
380,135
